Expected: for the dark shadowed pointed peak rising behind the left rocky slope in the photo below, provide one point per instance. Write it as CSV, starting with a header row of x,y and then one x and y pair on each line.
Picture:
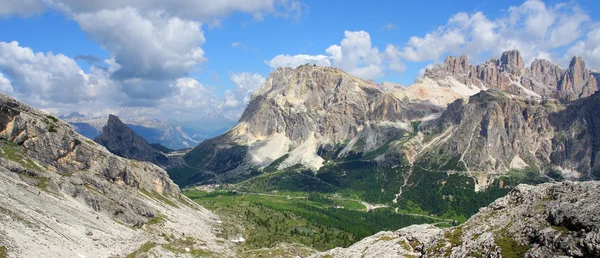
x,y
119,139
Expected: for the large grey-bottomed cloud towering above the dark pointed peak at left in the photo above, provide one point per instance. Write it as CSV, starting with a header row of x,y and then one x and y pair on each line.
x,y
154,47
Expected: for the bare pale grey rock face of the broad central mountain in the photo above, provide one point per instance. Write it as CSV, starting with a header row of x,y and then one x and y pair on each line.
x,y
325,101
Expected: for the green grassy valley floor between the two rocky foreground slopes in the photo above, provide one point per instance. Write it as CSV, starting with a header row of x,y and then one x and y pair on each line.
x,y
315,220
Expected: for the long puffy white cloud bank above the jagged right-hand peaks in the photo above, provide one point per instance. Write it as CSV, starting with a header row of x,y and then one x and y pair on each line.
x,y
533,28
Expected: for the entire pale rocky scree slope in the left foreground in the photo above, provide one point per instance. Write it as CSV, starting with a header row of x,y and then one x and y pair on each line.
x,y
62,194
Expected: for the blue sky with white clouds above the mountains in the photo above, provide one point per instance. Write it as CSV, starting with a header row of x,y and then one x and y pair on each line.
x,y
188,60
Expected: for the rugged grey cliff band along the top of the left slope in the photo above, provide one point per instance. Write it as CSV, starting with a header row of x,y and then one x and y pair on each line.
x,y
51,145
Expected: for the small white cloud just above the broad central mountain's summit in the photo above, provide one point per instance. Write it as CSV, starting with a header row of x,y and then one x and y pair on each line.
x,y
355,54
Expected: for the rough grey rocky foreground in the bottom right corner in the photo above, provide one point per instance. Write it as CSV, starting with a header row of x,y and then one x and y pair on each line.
x,y
548,220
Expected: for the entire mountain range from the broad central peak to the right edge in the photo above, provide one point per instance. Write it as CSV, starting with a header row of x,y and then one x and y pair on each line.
x,y
514,120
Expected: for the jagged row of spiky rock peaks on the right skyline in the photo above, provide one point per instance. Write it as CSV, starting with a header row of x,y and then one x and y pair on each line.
x,y
542,79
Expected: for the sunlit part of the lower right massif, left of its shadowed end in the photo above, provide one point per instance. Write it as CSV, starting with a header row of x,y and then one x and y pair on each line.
x,y
493,133
